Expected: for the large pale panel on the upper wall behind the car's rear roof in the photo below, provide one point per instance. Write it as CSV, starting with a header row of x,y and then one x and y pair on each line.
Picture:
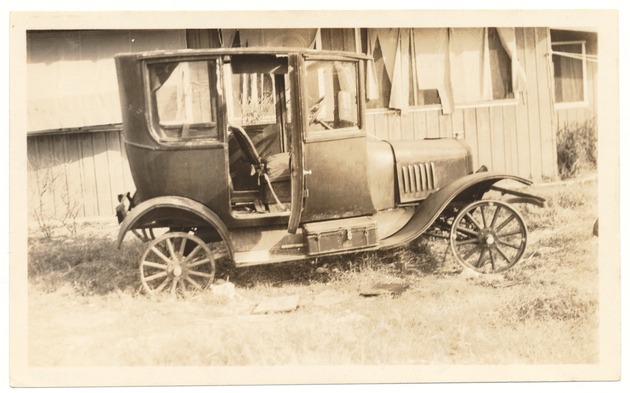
x,y
71,76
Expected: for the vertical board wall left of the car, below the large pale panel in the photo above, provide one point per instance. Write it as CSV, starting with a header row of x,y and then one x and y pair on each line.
x,y
90,170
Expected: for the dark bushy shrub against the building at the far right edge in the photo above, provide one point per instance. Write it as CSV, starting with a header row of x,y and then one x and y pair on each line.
x,y
577,148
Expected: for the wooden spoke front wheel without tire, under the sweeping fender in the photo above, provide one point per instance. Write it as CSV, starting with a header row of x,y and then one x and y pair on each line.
x,y
488,236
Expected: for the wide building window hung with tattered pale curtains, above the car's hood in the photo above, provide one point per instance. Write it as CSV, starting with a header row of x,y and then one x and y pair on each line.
x,y
447,67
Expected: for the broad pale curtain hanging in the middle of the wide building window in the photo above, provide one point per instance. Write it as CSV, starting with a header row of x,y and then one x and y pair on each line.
x,y
432,64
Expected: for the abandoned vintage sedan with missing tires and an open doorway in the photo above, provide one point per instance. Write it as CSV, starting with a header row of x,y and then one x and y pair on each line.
x,y
250,156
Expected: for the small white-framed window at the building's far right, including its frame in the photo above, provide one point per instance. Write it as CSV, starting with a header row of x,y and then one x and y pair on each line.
x,y
569,70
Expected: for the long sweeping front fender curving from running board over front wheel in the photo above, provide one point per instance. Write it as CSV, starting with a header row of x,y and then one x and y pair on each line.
x,y
468,188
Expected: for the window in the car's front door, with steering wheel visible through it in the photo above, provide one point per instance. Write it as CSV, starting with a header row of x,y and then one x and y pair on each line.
x,y
331,95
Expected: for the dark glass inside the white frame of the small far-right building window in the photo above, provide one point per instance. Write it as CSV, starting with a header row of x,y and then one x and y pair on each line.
x,y
568,74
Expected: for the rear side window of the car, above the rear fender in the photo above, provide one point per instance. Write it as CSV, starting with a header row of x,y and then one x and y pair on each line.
x,y
184,103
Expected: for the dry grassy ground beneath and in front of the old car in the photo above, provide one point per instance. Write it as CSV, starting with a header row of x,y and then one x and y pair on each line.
x,y
85,307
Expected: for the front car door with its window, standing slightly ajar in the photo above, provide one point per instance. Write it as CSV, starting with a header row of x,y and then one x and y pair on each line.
x,y
332,147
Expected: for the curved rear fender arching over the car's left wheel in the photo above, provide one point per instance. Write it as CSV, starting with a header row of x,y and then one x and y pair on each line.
x,y
169,211
